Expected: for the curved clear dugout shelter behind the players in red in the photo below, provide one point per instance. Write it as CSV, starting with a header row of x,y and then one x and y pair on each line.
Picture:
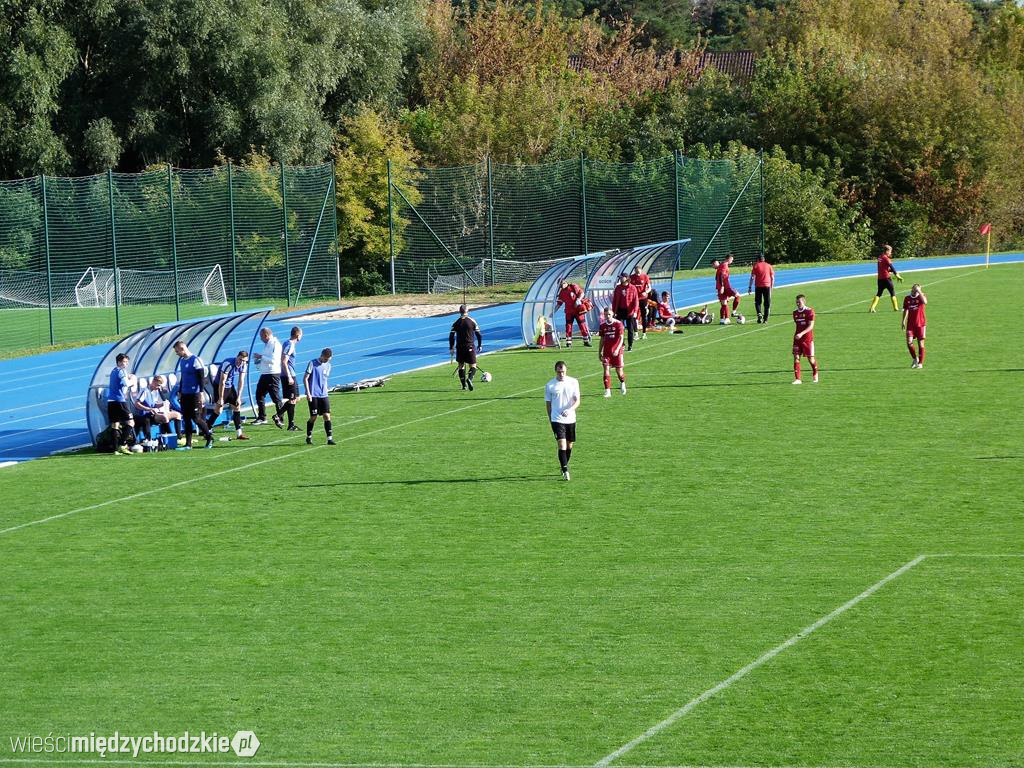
x,y
599,274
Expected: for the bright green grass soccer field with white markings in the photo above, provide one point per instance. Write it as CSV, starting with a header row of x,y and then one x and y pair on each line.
x,y
742,573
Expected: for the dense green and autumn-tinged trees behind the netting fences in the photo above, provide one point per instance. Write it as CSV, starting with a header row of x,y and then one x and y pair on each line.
x,y
903,120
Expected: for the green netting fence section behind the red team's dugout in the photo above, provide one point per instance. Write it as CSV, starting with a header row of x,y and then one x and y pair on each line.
x,y
491,224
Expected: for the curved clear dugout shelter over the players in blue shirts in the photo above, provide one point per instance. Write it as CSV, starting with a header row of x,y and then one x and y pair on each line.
x,y
152,353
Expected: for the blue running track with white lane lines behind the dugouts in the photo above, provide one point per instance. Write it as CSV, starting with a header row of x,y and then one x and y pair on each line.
x,y
44,408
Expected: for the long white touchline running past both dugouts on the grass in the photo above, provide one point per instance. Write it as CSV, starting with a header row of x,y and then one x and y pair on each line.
x,y
307,449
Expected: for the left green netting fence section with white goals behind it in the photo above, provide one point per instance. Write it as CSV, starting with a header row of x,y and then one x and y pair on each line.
x,y
104,255
